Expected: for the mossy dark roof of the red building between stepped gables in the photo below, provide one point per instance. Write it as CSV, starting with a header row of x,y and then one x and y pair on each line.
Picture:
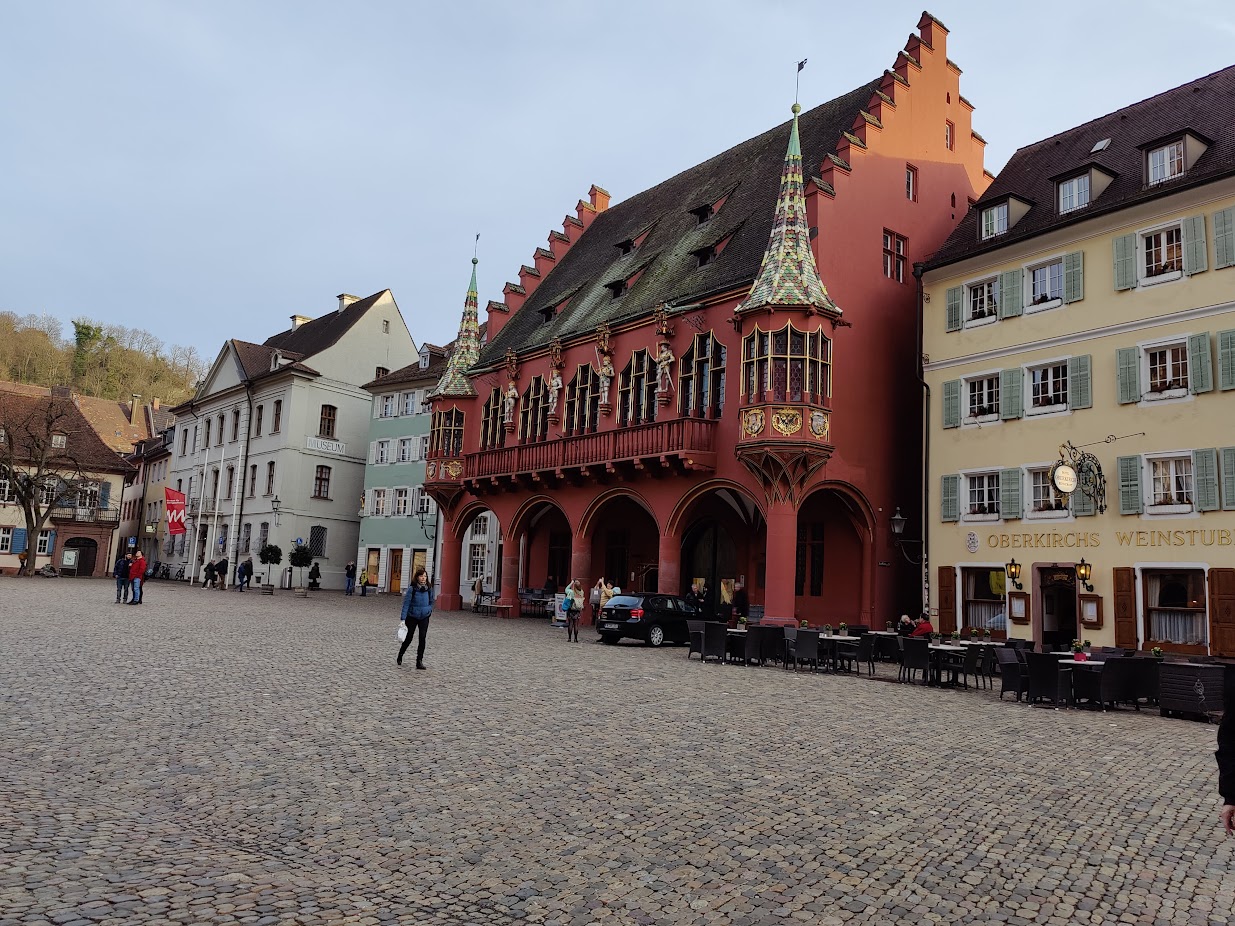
x,y
748,173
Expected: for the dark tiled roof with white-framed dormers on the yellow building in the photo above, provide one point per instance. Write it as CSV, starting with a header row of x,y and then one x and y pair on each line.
x,y
1206,107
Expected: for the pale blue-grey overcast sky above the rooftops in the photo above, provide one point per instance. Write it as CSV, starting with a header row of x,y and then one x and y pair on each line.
x,y
206,170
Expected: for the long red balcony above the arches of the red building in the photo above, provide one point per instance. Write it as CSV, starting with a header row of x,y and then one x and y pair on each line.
x,y
655,450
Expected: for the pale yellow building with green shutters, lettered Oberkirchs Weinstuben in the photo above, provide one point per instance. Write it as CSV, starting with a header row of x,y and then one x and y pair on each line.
x,y
1086,306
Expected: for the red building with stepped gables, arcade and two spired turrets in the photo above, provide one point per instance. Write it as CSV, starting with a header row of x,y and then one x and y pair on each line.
x,y
717,378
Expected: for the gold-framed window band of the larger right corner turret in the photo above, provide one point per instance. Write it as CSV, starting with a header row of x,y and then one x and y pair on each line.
x,y
787,366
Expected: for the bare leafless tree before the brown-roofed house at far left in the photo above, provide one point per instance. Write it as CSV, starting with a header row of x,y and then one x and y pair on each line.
x,y
46,454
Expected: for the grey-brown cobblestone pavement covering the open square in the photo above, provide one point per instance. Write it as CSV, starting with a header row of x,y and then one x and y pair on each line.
x,y
214,757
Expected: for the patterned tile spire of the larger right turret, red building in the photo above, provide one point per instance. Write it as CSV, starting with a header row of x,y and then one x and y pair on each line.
x,y
789,276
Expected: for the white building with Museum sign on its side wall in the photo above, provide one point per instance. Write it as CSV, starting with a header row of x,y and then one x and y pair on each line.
x,y
272,449
